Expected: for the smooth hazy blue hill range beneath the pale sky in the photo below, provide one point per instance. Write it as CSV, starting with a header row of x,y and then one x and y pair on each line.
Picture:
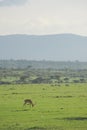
x,y
61,47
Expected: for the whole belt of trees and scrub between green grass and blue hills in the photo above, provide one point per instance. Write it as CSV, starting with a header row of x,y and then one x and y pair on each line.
x,y
37,72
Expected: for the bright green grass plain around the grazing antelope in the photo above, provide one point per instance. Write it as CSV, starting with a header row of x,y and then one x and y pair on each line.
x,y
56,107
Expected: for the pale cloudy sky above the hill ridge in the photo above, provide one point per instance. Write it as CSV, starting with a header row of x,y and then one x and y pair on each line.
x,y
43,17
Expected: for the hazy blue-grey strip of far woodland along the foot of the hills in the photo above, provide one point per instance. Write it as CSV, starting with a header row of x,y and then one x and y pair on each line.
x,y
22,64
